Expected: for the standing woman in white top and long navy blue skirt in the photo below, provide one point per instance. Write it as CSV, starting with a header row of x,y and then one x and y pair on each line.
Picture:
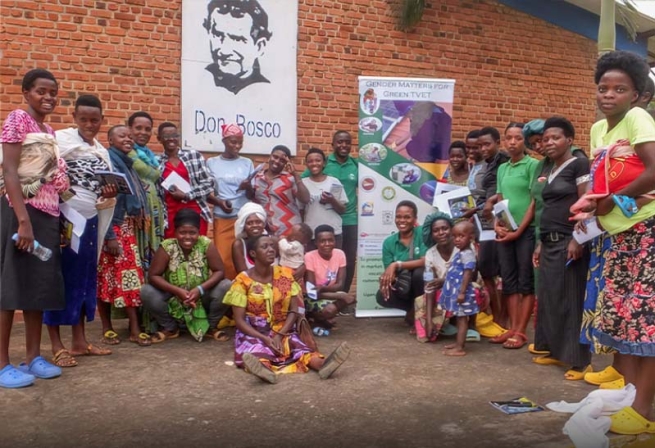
x,y
84,156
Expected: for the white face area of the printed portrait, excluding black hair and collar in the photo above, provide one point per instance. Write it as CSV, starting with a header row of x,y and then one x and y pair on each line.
x,y
231,45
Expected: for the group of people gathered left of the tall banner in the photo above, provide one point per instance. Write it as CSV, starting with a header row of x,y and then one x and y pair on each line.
x,y
143,251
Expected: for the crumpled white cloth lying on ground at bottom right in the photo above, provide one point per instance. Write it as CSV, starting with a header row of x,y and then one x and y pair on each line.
x,y
590,420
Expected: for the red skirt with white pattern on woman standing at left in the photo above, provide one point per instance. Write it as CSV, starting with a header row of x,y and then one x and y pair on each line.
x,y
120,277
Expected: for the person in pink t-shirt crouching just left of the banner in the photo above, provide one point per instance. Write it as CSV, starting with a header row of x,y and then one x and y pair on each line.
x,y
326,269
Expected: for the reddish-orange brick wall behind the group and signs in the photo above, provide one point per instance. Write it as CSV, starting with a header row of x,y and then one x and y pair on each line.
x,y
508,65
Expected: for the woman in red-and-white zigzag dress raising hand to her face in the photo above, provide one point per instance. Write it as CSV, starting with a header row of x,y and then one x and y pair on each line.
x,y
278,189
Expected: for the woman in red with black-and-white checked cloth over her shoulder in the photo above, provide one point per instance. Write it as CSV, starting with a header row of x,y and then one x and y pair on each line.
x,y
191,167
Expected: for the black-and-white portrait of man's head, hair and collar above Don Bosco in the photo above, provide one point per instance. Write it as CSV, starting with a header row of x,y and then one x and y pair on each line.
x,y
238,35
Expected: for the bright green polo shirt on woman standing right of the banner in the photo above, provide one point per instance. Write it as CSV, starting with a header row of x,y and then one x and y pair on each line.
x,y
515,183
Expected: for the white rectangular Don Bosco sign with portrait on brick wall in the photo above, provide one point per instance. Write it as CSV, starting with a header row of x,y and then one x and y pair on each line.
x,y
239,66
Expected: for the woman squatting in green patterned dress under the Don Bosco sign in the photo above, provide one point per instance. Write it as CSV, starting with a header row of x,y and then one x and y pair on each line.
x,y
186,283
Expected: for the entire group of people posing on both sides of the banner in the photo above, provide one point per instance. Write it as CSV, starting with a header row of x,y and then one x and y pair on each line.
x,y
284,250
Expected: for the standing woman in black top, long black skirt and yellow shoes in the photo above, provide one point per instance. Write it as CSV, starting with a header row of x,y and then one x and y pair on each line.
x,y
562,262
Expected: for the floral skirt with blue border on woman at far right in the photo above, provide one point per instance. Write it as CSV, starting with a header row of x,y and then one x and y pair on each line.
x,y
625,310
